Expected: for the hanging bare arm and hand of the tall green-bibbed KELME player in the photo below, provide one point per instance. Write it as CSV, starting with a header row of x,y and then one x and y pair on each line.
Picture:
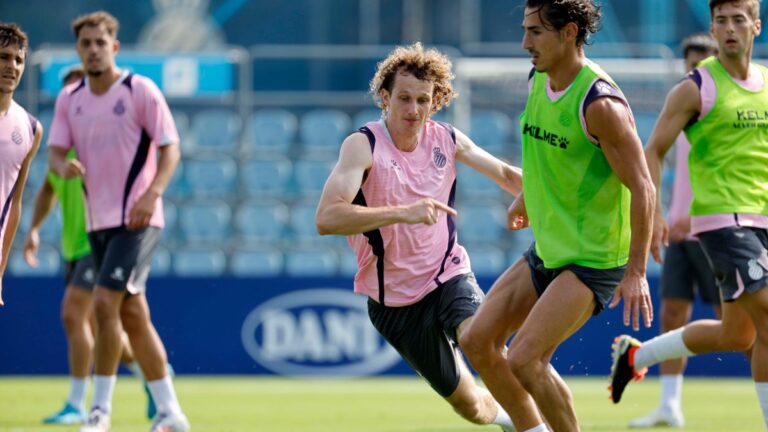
x,y
610,121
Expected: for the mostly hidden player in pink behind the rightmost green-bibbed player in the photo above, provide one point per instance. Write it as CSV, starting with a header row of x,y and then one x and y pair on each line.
x,y
685,268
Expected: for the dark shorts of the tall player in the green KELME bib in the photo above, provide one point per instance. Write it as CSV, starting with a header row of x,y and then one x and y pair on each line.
x,y
602,282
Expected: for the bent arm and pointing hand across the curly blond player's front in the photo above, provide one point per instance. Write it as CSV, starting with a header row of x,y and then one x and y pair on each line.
x,y
337,215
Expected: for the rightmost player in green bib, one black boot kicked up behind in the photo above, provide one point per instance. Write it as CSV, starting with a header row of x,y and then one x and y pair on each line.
x,y
721,108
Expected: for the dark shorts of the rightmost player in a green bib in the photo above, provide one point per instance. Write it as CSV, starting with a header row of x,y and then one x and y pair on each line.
x,y
739,259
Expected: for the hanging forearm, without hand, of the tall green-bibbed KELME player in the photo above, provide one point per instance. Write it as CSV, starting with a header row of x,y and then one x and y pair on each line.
x,y
642,206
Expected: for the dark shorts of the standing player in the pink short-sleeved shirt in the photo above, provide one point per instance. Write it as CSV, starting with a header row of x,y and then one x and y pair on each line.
x,y
123,256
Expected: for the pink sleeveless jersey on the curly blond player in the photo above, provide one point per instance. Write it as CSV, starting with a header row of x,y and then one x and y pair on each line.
x,y
400,264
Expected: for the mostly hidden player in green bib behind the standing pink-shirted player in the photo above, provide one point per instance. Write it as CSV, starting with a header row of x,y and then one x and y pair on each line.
x,y
77,305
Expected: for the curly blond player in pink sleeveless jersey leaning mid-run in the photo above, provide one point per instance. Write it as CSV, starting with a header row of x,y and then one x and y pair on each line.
x,y
392,193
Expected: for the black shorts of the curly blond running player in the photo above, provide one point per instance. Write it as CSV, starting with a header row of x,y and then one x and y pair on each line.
x,y
424,333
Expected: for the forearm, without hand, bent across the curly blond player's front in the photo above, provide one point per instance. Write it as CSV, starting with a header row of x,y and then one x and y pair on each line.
x,y
349,219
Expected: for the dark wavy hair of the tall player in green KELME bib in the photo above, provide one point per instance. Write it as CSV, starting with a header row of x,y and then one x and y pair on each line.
x,y
556,14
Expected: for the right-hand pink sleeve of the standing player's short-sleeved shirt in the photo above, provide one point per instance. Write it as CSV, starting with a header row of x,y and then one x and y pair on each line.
x,y
155,115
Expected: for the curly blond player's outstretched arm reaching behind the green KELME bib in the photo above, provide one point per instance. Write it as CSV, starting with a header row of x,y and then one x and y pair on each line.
x,y
508,177
